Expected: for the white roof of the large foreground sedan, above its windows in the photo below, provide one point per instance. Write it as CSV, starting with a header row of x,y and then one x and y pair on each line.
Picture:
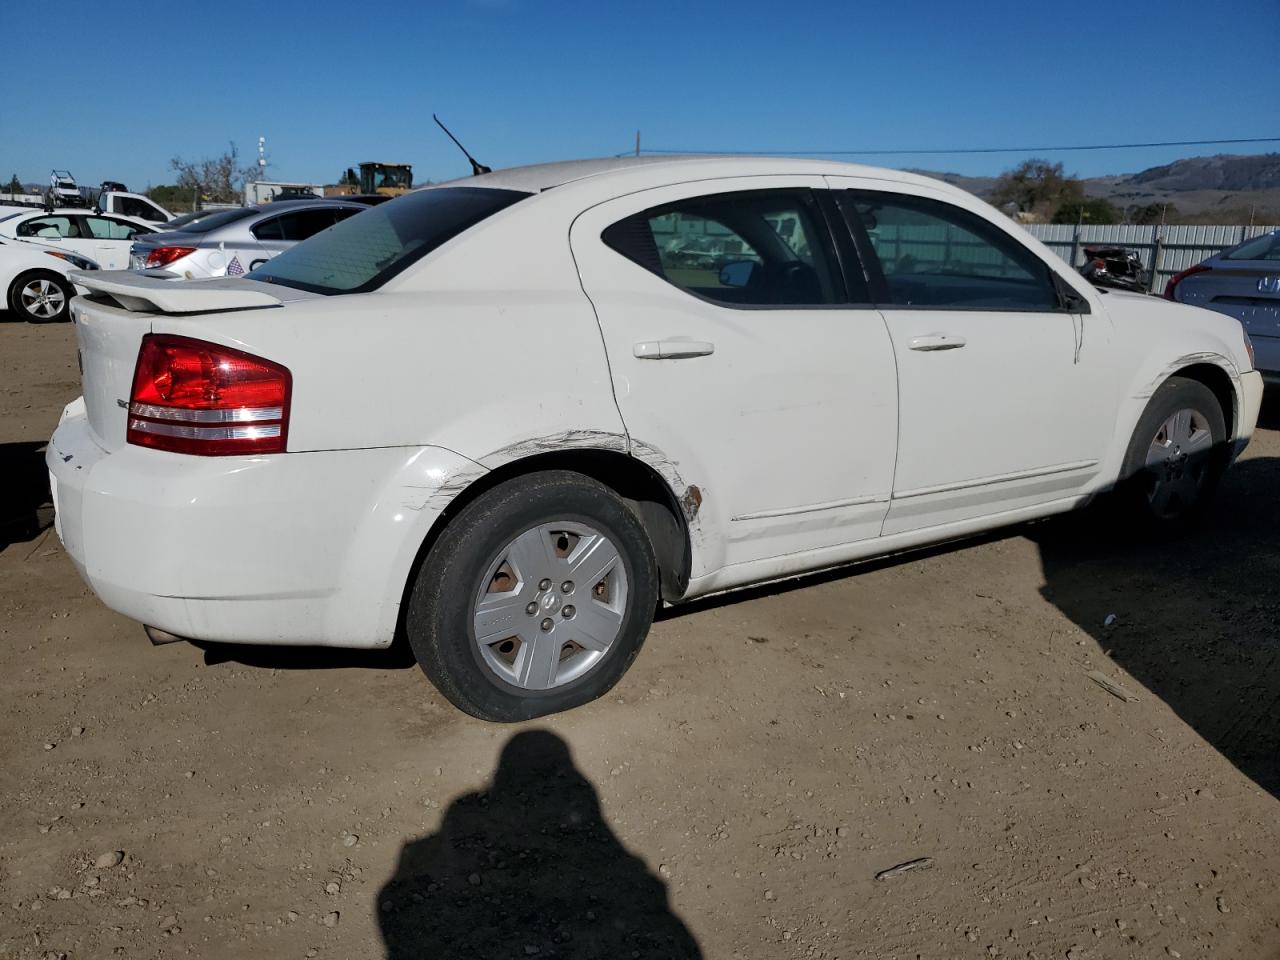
x,y
540,177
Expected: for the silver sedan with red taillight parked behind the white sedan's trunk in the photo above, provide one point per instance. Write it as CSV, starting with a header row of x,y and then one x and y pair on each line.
x,y
234,243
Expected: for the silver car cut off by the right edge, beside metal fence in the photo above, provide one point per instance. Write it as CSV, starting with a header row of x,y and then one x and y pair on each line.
x,y
1242,282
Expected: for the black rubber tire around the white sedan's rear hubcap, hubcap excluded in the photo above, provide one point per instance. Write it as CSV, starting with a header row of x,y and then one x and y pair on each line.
x,y
441,609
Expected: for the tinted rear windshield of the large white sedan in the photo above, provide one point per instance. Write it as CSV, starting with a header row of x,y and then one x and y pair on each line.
x,y
364,252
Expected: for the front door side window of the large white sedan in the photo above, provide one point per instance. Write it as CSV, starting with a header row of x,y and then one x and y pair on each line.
x,y
938,255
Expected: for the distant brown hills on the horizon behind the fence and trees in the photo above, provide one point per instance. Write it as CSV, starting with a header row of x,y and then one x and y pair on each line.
x,y
1224,189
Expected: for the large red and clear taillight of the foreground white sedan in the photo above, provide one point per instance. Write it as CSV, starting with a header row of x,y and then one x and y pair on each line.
x,y
196,397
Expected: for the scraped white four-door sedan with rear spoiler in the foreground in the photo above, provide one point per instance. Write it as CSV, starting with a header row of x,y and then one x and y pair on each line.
x,y
510,415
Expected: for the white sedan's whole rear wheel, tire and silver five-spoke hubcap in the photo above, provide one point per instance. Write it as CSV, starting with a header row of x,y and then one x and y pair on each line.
x,y
536,598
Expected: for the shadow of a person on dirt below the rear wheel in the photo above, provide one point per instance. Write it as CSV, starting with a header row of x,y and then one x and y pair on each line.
x,y
528,868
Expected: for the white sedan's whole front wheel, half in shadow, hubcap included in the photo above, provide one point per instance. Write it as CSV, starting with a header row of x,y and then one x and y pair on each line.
x,y
1177,456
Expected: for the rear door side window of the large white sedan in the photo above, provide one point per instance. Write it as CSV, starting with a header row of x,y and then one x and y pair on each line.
x,y
749,249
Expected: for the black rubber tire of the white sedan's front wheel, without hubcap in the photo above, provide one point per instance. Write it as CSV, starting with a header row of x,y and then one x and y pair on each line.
x,y
1182,504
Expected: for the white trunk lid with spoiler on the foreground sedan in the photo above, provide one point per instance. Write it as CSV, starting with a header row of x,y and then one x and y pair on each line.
x,y
120,312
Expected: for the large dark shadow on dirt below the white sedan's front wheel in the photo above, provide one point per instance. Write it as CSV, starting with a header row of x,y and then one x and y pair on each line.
x,y
1197,618
